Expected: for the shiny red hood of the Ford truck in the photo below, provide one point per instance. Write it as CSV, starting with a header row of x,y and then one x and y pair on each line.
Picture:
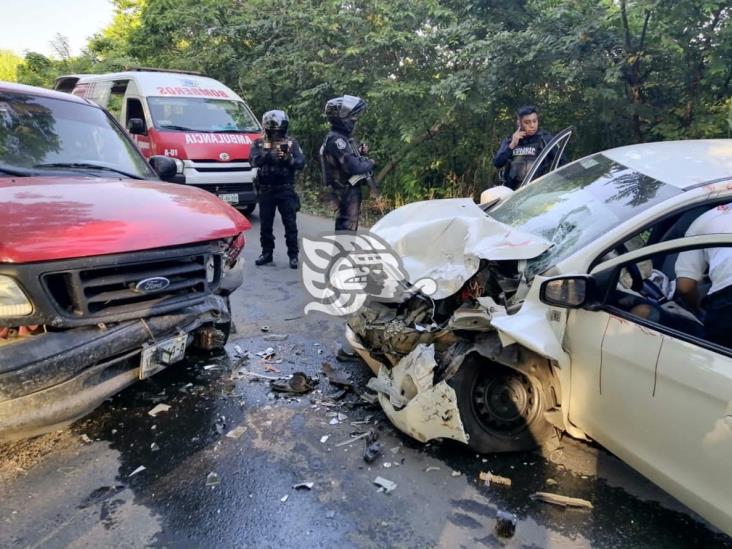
x,y
50,218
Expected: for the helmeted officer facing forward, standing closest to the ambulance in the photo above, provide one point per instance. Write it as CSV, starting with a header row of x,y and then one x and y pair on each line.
x,y
278,157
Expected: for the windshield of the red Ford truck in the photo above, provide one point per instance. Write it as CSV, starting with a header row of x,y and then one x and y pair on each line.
x,y
40,135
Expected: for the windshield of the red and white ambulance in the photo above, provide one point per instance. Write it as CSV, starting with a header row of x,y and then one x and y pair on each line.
x,y
201,115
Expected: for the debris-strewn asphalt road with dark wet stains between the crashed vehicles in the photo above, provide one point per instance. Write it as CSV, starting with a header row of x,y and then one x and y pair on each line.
x,y
220,464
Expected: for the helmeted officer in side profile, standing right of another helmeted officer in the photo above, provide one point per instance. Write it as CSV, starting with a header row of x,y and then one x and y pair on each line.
x,y
343,161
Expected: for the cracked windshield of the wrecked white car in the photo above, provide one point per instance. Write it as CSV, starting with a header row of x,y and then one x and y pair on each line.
x,y
574,205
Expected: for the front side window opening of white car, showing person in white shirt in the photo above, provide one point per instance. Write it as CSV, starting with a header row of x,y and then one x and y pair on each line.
x,y
695,300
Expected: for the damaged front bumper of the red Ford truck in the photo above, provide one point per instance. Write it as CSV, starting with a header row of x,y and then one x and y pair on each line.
x,y
50,379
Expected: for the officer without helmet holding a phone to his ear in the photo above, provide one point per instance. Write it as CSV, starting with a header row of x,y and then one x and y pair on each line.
x,y
519,151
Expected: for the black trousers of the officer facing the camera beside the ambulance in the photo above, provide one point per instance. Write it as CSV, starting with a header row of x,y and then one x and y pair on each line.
x,y
284,198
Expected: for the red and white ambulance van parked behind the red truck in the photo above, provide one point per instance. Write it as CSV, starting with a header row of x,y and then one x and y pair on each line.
x,y
197,120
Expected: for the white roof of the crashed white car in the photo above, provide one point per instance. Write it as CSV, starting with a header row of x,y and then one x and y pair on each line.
x,y
682,164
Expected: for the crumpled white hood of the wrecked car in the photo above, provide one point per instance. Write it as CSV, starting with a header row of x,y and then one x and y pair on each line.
x,y
445,240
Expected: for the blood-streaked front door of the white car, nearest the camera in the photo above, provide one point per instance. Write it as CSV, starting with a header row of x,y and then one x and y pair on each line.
x,y
658,397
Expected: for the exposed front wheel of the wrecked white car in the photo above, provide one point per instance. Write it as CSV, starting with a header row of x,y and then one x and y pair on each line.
x,y
502,410
